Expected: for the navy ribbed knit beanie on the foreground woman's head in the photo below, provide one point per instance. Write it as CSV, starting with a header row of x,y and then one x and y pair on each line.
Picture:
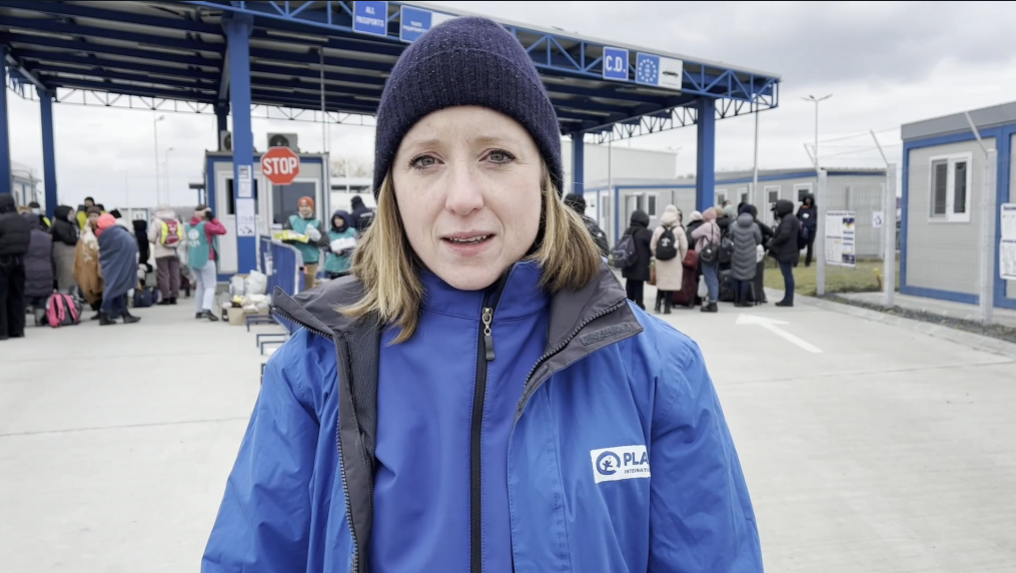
x,y
466,61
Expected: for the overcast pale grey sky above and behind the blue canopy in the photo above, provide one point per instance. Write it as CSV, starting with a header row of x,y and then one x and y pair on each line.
x,y
885,63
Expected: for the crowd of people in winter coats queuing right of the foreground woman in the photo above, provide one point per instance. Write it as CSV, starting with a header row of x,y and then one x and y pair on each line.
x,y
719,257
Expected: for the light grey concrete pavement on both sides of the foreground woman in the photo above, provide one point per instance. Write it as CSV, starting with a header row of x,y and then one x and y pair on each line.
x,y
886,452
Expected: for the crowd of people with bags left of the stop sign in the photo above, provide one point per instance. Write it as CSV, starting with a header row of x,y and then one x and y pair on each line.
x,y
101,260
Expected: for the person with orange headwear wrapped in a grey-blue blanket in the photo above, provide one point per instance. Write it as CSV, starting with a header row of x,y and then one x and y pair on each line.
x,y
118,264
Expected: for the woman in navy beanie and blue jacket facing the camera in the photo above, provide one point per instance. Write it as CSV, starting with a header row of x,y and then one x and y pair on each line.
x,y
479,396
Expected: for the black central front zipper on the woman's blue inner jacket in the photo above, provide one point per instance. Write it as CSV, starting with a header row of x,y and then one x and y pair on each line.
x,y
485,355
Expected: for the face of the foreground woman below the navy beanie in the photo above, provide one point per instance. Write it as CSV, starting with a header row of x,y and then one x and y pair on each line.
x,y
468,181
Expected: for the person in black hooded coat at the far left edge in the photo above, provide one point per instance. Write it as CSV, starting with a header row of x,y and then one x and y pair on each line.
x,y
16,234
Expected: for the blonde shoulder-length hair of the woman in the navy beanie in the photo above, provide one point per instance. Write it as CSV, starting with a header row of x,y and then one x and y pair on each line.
x,y
390,270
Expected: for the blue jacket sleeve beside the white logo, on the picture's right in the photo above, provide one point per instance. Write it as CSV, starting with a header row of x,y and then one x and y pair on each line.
x,y
702,516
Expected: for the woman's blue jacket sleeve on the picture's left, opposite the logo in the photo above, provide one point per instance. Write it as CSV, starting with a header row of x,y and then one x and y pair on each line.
x,y
264,523
